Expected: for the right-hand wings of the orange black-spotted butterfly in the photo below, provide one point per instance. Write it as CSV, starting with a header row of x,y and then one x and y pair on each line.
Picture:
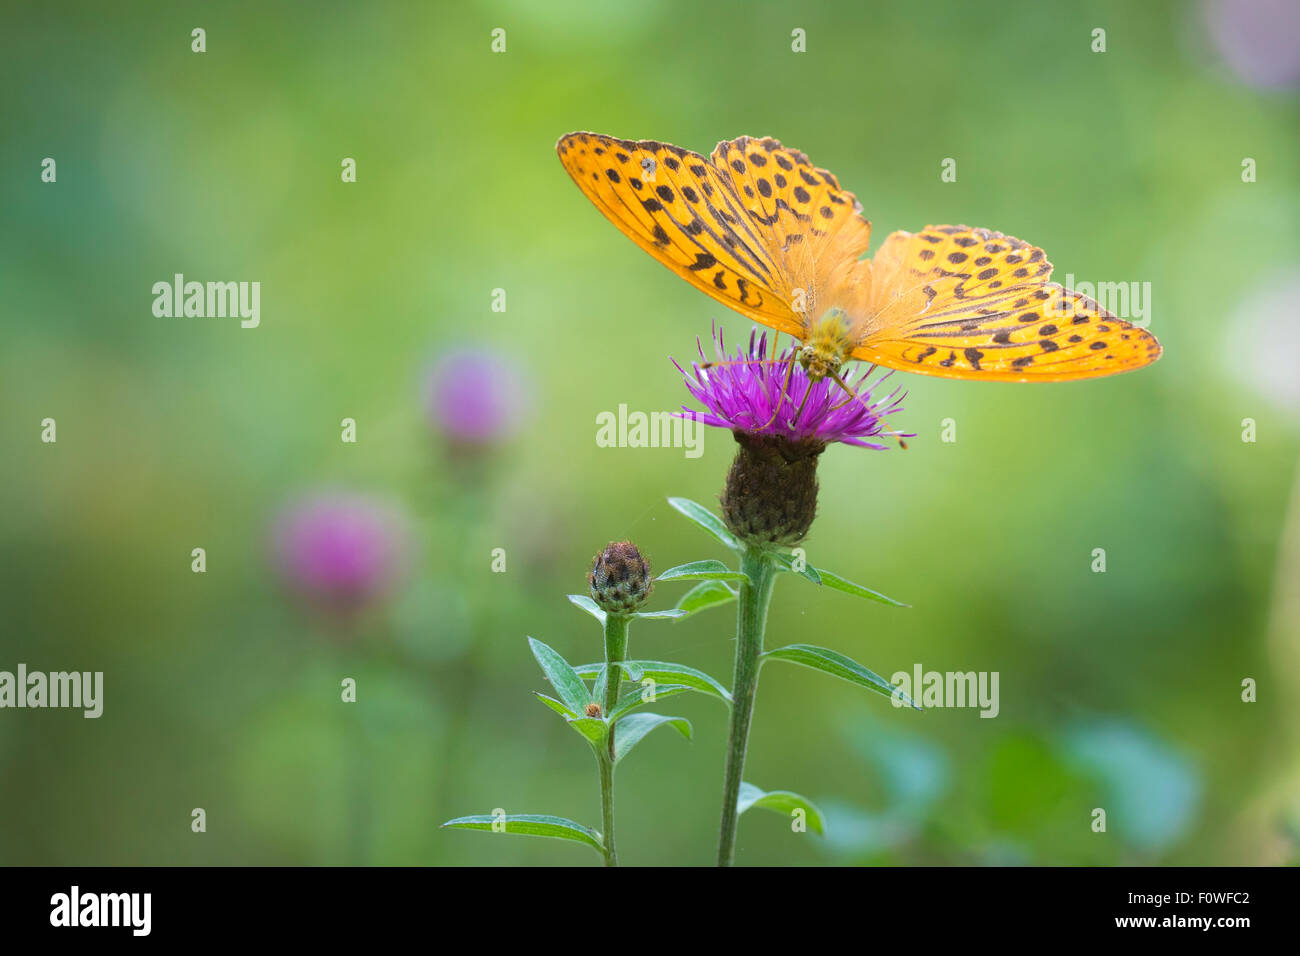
x,y
972,304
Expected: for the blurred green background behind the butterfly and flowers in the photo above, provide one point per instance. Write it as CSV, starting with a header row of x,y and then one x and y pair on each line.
x,y
1119,690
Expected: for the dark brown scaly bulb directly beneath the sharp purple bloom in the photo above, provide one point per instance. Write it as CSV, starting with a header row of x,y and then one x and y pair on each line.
x,y
772,488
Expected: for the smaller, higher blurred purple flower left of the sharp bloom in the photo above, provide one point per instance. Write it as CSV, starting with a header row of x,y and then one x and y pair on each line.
x,y
475,396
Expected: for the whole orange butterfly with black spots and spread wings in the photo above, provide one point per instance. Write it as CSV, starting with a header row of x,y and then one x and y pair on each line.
x,y
772,236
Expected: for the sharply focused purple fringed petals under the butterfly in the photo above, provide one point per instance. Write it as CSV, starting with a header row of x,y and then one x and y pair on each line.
x,y
747,391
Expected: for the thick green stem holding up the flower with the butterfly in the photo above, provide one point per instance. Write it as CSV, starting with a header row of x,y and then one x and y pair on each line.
x,y
756,594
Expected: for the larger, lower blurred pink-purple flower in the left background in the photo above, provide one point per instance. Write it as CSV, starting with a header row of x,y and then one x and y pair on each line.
x,y
341,552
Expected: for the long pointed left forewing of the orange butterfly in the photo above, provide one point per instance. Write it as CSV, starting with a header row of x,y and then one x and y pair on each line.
x,y
683,211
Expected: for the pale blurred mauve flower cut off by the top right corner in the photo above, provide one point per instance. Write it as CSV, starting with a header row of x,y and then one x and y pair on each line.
x,y
1259,40
